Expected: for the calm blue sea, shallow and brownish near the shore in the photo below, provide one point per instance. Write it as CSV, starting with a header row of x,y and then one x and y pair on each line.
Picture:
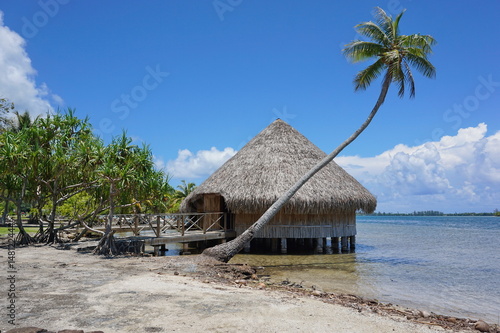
x,y
447,265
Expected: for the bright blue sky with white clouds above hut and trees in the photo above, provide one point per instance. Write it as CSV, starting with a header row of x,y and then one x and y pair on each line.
x,y
197,79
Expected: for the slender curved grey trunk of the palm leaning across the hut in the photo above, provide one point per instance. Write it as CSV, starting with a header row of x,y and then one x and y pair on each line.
x,y
224,252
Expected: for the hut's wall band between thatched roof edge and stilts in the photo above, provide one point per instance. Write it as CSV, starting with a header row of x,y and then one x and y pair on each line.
x,y
300,225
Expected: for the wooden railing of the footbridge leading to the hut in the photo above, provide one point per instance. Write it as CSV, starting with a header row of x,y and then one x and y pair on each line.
x,y
179,222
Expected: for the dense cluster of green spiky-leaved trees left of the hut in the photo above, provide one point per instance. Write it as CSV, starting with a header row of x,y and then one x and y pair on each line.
x,y
55,166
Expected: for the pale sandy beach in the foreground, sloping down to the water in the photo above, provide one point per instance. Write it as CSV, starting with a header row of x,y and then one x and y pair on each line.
x,y
65,289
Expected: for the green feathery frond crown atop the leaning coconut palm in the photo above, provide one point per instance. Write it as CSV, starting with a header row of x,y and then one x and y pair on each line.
x,y
395,53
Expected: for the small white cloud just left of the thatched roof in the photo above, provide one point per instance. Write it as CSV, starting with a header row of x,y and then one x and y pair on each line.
x,y
201,164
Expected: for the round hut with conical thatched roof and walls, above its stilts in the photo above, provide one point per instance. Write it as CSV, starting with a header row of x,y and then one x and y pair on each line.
x,y
247,184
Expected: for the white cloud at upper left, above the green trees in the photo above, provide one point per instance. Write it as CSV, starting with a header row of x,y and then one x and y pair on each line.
x,y
17,76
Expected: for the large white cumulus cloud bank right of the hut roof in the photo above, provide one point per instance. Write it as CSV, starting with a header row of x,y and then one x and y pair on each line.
x,y
456,173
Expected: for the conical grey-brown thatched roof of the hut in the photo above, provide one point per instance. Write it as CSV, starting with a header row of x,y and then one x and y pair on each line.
x,y
269,164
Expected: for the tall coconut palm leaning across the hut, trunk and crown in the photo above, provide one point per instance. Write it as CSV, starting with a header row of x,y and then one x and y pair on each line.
x,y
395,54
